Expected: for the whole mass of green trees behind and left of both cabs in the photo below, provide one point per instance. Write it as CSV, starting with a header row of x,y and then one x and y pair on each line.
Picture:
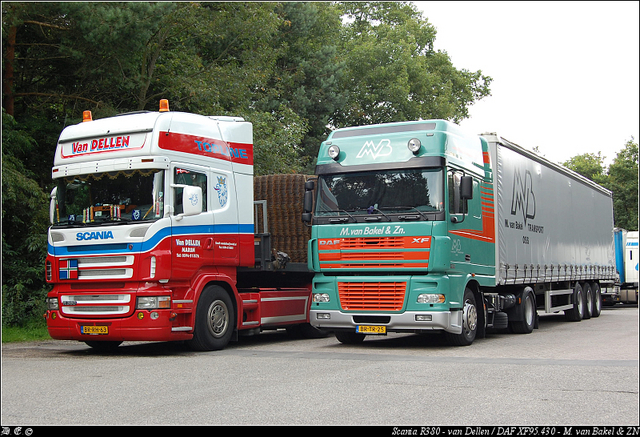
x,y
294,69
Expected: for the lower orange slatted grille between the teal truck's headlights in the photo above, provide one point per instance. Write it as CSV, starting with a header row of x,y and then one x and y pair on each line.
x,y
372,296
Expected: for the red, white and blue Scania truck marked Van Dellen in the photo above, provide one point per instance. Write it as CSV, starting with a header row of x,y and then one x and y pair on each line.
x,y
153,236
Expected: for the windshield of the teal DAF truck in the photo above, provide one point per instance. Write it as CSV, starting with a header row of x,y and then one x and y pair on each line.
x,y
392,191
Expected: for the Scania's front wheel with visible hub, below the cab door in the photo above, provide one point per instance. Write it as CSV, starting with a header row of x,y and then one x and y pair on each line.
x,y
215,320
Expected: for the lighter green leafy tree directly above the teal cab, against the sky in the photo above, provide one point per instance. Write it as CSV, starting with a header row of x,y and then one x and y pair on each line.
x,y
393,72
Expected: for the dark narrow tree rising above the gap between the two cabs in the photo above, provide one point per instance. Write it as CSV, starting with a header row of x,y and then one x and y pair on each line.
x,y
308,70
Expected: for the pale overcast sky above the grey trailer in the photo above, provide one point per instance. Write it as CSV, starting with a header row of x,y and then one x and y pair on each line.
x,y
565,74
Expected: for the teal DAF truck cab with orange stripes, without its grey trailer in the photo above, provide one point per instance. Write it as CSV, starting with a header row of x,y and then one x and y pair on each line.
x,y
403,232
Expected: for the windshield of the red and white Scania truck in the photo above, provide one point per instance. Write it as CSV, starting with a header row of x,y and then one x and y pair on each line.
x,y
120,196
